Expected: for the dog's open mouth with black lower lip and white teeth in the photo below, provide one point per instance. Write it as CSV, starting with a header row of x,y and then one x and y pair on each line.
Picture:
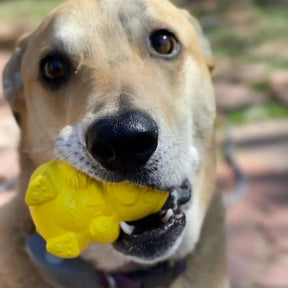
x,y
154,236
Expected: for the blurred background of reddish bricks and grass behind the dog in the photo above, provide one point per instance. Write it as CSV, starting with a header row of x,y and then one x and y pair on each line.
x,y
250,43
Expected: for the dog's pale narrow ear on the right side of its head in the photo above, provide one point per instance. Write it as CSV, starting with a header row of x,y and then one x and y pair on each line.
x,y
204,43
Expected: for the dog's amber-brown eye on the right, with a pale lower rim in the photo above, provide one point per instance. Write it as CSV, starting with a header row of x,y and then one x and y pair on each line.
x,y
164,43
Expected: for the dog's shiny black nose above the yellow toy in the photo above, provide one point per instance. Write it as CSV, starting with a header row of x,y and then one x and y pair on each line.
x,y
123,142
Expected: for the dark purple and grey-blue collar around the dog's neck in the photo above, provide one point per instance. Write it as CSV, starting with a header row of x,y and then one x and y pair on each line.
x,y
77,273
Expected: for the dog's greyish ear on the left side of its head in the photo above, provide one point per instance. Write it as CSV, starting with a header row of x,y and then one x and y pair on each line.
x,y
12,78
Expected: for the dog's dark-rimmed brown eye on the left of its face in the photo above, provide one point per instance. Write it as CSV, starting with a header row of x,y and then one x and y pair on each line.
x,y
55,69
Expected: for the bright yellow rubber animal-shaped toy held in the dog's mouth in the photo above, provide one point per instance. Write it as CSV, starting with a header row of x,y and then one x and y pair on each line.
x,y
70,210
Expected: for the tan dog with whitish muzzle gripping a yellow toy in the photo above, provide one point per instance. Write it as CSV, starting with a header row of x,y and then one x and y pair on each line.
x,y
122,91
